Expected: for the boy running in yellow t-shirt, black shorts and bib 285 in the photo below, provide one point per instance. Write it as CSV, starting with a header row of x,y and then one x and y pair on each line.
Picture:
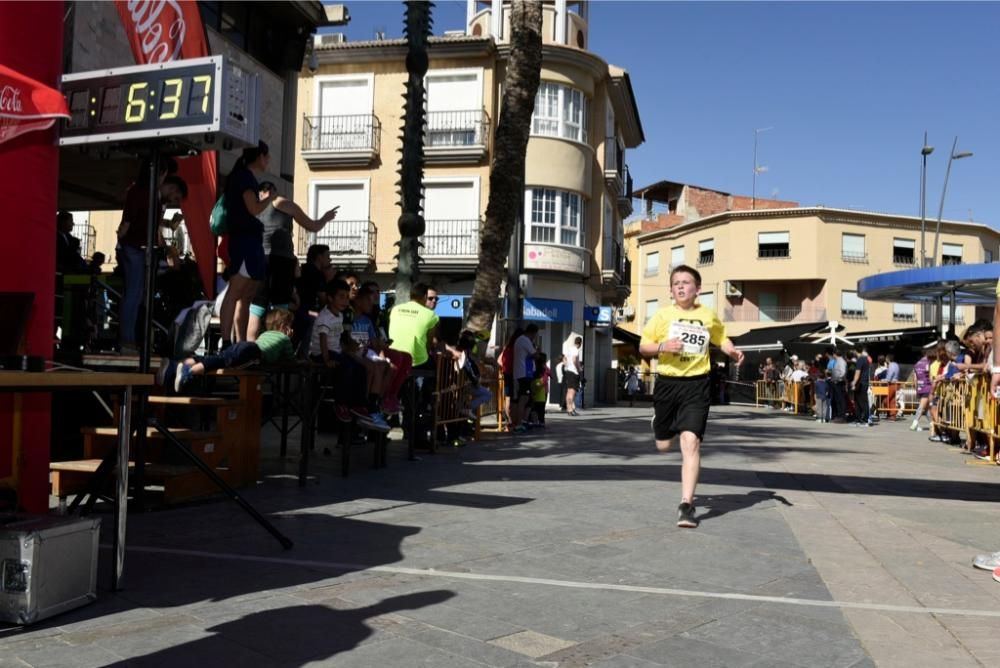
x,y
678,336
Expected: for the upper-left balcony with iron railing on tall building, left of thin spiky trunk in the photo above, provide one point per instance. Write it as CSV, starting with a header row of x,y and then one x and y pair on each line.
x,y
334,141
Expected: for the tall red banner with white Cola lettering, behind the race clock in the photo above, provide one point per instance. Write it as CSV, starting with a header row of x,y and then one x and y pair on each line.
x,y
160,31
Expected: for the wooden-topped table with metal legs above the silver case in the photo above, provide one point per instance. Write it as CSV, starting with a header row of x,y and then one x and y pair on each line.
x,y
22,382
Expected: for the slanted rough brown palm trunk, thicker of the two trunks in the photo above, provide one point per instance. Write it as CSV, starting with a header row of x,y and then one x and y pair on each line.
x,y
507,173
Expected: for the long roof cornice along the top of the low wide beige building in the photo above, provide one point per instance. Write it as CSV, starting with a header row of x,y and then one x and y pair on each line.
x,y
850,216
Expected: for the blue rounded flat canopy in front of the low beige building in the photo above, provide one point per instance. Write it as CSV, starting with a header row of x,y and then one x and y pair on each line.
x,y
971,283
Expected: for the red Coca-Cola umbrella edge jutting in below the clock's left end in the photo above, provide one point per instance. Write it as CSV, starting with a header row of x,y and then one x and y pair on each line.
x,y
26,104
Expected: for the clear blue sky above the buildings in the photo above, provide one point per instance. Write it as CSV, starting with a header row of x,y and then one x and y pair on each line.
x,y
848,88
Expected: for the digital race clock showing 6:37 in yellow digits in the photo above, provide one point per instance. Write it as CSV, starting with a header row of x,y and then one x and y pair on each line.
x,y
199,101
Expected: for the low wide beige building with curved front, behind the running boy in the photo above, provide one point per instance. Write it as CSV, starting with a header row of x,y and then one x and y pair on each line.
x,y
764,267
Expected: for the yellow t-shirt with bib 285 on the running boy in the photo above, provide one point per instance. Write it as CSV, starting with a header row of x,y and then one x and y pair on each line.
x,y
695,328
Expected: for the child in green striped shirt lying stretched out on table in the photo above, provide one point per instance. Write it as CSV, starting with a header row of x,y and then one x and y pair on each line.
x,y
273,345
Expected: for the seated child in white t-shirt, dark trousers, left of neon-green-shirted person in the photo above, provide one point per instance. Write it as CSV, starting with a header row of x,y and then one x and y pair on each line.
x,y
348,376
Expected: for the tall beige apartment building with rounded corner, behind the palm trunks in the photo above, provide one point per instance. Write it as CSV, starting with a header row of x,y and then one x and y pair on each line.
x,y
577,192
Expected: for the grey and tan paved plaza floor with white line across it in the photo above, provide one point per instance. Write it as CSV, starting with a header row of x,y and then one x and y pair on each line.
x,y
820,545
